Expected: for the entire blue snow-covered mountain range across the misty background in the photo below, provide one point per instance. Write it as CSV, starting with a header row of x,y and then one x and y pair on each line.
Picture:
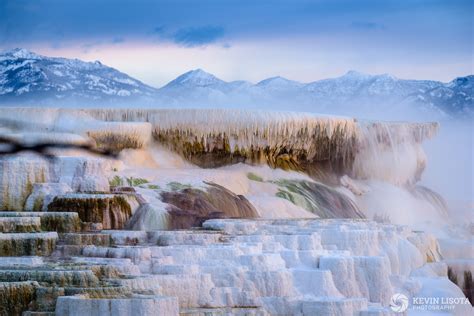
x,y
30,79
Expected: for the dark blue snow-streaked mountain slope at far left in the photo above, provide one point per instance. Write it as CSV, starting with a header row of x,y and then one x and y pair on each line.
x,y
27,77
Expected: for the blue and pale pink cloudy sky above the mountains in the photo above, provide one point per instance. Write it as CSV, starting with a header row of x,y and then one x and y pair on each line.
x,y
155,41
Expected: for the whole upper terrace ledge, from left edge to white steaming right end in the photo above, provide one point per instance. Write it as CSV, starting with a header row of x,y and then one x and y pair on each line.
x,y
287,140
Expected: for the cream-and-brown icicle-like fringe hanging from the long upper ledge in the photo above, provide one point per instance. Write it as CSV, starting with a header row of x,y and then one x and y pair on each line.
x,y
239,131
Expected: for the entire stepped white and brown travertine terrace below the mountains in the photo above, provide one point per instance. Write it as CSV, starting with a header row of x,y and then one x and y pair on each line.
x,y
215,212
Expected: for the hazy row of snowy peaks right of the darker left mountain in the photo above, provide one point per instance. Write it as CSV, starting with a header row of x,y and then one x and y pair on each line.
x,y
355,93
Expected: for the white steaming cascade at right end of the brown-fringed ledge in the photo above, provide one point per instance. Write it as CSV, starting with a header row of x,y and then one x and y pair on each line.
x,y
388,164
